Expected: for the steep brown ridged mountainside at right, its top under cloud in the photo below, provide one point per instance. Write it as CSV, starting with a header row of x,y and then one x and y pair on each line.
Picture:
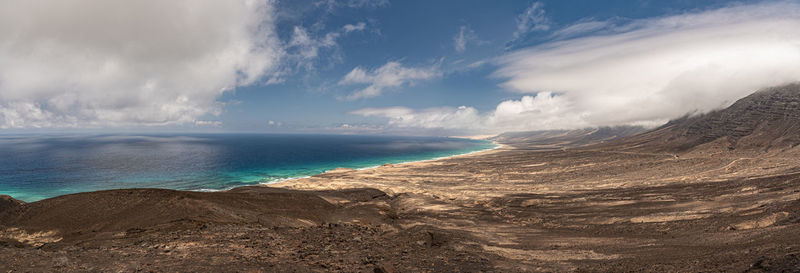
x,y
767,120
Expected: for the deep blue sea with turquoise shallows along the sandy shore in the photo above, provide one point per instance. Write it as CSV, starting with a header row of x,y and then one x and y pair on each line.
x,y
38,167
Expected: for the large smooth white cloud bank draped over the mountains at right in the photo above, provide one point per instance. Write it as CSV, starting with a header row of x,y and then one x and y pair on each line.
x,y
641,73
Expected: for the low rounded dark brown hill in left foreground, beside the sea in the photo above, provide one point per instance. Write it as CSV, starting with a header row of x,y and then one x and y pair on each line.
x,y
85,215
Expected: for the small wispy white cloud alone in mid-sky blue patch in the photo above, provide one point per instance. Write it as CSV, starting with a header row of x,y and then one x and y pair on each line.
x,y
391,75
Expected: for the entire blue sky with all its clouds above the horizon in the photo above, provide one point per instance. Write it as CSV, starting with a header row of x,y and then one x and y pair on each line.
x,y
408,67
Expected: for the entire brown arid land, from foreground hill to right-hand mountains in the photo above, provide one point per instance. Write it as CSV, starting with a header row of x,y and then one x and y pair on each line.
x,y
718,192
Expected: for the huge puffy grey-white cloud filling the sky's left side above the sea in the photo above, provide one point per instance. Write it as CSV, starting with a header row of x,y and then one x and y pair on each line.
x,y
84,63
